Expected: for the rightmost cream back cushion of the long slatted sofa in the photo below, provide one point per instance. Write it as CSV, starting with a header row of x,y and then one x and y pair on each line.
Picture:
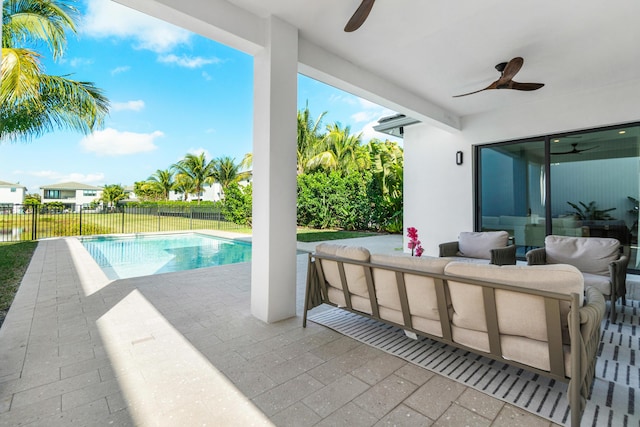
x,y
518,313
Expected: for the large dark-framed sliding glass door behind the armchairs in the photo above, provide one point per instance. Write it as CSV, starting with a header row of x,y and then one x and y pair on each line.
x,y
580,184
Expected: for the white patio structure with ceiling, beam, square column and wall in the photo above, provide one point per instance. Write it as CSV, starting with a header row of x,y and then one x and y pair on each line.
x,y
414,57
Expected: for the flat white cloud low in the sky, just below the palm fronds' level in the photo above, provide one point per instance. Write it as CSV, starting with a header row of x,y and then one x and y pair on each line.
x,y
111,142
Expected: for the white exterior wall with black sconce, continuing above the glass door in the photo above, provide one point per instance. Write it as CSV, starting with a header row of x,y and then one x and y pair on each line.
x,y
438,194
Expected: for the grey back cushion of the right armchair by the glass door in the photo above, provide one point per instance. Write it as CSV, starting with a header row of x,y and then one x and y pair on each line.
x,y
588,254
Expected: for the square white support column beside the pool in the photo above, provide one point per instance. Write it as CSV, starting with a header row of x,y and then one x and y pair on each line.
x,y
273,272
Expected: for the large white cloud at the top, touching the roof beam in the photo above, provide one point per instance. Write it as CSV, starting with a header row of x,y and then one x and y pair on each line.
x,y
106,19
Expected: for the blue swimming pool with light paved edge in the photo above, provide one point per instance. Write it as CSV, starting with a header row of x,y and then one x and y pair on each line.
x,y
122,257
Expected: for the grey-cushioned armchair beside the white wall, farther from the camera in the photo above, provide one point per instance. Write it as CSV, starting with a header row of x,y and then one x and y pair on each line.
x,y
491,245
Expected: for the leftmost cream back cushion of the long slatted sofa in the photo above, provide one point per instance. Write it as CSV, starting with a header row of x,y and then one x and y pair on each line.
x,y
355,275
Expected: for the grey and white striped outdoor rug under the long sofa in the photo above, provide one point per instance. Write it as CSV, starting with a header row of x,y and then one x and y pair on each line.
x,y
613,398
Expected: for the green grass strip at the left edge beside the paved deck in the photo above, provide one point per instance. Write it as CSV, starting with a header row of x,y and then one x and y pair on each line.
x,y
14,260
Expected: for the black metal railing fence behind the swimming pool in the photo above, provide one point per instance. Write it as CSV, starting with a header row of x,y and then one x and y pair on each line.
x,y
22,222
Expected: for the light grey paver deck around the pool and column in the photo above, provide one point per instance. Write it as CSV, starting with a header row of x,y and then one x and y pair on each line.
x,y
182,349
